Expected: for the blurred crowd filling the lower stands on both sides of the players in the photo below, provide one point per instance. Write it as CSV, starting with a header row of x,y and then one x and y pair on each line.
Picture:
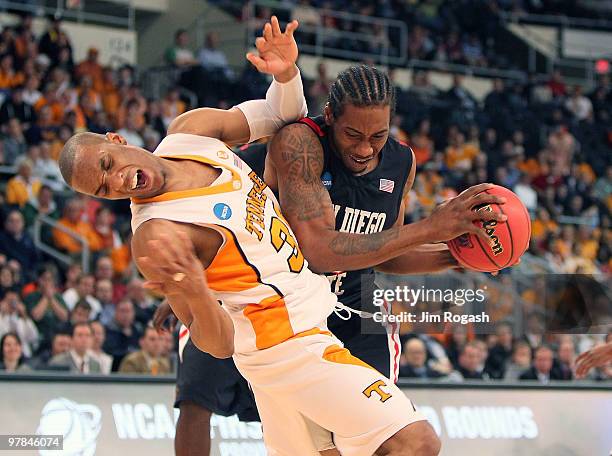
x,y
547,141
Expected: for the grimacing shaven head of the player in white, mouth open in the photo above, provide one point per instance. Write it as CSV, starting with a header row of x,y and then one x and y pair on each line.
x,y
117,171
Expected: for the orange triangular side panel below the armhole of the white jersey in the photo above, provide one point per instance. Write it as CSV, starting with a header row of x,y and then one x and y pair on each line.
x,y
229,270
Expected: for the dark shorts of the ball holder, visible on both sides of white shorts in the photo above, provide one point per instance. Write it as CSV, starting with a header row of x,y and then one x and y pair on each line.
x,y
216,384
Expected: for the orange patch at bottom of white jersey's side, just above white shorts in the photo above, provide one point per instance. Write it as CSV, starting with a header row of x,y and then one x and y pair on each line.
x,y
270,321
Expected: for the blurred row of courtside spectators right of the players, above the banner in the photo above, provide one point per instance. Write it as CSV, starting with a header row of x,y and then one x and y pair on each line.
x,y
459,355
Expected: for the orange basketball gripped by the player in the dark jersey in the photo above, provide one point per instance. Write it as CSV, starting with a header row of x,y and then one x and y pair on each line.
x,y
510,238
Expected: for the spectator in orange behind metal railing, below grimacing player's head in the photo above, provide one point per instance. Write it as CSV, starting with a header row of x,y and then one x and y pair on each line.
x,y
72,221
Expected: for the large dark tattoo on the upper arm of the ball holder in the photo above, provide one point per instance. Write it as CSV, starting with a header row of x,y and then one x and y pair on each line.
x,y
302,163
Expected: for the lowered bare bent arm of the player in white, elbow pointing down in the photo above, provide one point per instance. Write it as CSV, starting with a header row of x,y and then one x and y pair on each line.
x,y
166,255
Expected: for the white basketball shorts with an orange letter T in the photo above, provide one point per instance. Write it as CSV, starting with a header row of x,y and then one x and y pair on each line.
x,y
314,378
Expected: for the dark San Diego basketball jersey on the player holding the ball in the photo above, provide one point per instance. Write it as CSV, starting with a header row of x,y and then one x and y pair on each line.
x,y
363,204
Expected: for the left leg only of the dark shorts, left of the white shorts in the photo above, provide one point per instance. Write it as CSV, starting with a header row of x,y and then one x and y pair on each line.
x,y
214,384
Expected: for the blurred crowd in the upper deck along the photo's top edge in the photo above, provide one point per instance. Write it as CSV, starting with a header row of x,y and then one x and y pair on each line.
x,y
445,31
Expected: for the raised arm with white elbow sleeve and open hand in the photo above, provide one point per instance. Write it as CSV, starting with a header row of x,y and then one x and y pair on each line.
x,y
277,53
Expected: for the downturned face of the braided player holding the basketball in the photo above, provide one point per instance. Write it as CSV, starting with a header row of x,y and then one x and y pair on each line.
x,y
359,135
